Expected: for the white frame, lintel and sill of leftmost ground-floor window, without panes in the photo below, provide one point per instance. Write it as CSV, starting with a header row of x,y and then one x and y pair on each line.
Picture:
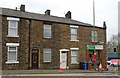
x,y
12,45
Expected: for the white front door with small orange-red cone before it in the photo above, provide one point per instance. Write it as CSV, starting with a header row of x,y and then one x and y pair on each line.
x,y
63,63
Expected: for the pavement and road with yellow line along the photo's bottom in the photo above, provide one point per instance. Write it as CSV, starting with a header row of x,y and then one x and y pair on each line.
x,y
70,73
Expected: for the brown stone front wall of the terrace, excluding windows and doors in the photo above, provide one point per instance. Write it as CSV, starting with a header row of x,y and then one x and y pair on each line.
x,y
60,40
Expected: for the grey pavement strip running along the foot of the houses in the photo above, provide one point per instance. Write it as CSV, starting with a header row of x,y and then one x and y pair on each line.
x,y
38,71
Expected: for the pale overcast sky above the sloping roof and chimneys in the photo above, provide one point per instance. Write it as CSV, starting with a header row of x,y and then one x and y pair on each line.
x,y
82,10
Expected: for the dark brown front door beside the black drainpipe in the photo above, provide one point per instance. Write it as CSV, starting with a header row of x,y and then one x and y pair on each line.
x,y
35,59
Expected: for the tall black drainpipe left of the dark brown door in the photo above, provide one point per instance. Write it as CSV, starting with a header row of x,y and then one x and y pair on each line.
x,y
29,24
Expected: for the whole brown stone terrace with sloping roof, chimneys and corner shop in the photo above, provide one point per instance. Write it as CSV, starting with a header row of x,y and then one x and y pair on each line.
x,y
43,41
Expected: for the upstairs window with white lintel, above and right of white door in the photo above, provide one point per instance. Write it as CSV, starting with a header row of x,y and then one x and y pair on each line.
x,y
74,30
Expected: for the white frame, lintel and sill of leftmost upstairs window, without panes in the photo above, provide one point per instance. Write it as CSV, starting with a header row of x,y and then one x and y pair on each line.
x,y
9,27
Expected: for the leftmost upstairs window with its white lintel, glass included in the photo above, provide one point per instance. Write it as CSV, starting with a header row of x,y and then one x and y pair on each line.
x,y
12,27
